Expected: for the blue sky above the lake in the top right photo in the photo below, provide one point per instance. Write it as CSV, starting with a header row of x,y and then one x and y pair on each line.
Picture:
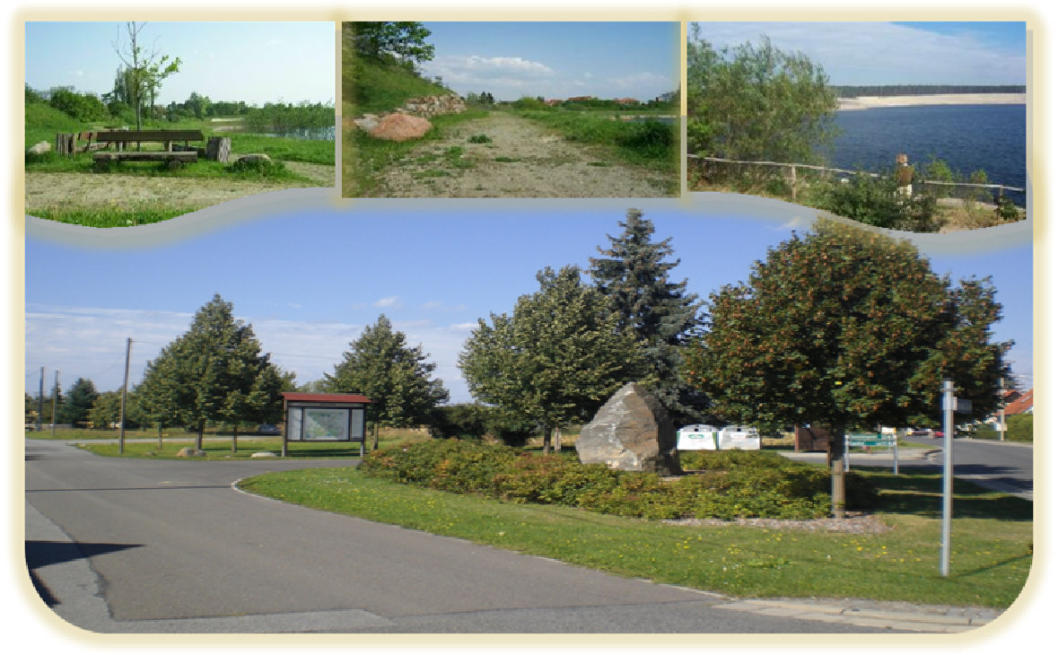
x,y
879,53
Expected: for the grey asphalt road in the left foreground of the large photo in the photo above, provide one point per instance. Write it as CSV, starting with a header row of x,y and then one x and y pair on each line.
x,y
137,545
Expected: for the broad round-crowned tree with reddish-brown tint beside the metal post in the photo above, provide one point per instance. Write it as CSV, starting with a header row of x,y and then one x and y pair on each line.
x,y
847,329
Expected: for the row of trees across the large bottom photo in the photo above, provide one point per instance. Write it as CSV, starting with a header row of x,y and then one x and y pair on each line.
x,y
840,327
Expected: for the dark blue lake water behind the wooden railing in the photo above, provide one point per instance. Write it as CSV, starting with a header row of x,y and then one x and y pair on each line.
x,y
968,137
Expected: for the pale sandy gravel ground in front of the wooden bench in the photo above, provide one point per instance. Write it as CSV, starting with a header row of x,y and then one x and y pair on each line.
x,y
68,191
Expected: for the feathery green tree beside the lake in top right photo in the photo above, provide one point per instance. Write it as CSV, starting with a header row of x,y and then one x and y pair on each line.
x,y
757,103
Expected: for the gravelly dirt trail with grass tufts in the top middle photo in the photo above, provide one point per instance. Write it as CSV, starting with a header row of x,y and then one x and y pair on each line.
x,y
520,160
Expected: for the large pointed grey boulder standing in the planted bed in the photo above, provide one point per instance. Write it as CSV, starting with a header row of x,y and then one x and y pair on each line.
x,y
632,432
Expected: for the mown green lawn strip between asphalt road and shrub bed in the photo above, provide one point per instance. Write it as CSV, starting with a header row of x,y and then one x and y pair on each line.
x,y
992,540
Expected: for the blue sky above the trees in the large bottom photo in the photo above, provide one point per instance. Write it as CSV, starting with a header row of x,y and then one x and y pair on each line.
x,y
309,283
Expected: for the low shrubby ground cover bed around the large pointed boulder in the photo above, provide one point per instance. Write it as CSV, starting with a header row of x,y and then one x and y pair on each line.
x,y
727,485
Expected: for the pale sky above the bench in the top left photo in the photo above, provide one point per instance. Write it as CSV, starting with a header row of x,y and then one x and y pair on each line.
x,y
258,63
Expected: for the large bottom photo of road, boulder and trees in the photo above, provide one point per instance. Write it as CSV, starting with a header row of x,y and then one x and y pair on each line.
x,y
723,415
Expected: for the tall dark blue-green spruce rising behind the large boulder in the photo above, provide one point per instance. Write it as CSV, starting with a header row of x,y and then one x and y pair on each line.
x,y
634,275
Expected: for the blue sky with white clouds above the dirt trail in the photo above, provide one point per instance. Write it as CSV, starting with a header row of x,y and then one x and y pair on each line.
x,y
557,60
